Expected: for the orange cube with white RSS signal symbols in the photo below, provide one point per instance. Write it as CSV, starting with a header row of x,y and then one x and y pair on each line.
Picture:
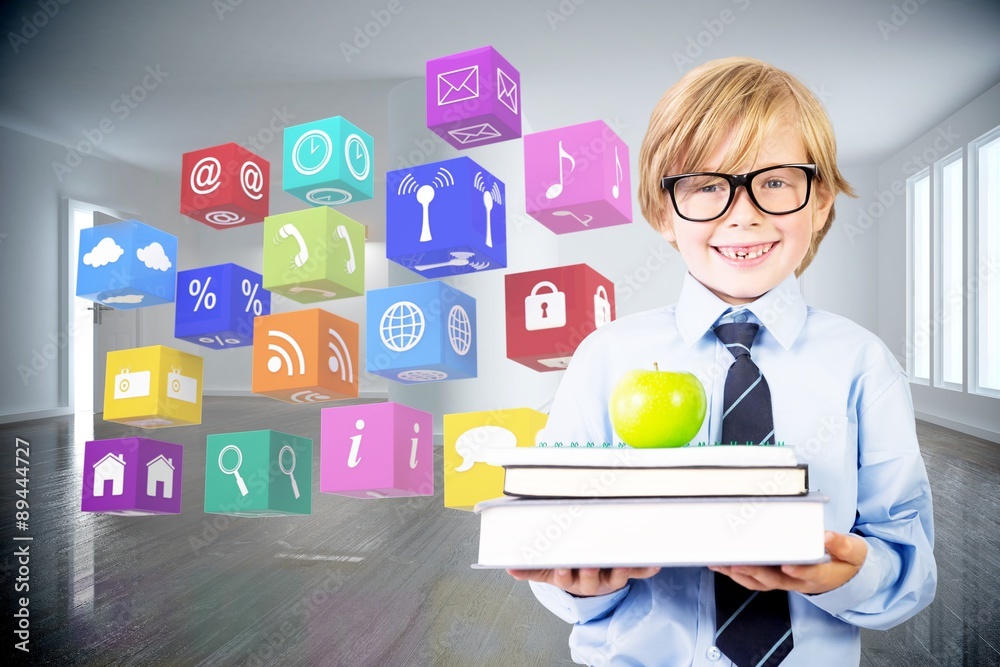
x,y
305,356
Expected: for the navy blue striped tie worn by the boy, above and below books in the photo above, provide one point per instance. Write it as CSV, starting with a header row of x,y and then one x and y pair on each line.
x,y
753,628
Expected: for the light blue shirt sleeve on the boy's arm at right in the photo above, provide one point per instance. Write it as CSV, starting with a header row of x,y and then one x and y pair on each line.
x,y
899,576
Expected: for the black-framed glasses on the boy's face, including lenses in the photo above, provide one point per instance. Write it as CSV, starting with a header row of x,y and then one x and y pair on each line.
x,y
707,195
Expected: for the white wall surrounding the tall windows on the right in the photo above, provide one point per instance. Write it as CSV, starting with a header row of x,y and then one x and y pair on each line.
x,y
973,414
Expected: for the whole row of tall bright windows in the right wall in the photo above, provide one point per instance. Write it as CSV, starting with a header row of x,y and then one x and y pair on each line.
x,y
953,267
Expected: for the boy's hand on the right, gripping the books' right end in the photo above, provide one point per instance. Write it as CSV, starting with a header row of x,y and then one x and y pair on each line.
x,y
847,555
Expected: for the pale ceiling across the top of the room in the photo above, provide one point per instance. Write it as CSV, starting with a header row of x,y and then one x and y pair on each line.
x,y
580,60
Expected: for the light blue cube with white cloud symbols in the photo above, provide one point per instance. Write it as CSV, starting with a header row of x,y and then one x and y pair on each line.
x,y
127,265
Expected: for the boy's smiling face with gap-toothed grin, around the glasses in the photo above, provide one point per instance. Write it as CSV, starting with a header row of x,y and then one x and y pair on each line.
x,y
746,252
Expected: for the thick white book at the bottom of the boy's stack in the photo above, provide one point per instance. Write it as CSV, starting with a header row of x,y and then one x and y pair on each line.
x,y
529,534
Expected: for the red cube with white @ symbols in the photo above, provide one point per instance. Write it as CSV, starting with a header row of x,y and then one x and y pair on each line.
x,y
225,186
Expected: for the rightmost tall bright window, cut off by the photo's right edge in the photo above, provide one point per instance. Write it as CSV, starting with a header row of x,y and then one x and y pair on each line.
x,y
986,277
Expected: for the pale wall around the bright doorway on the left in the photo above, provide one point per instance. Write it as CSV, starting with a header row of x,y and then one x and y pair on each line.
x,y
33,266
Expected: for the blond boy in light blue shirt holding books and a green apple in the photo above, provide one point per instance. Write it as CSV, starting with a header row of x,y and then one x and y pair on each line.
x,y
745,232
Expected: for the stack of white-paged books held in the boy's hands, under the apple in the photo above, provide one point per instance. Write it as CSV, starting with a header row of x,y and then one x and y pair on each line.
x,y
608,507
